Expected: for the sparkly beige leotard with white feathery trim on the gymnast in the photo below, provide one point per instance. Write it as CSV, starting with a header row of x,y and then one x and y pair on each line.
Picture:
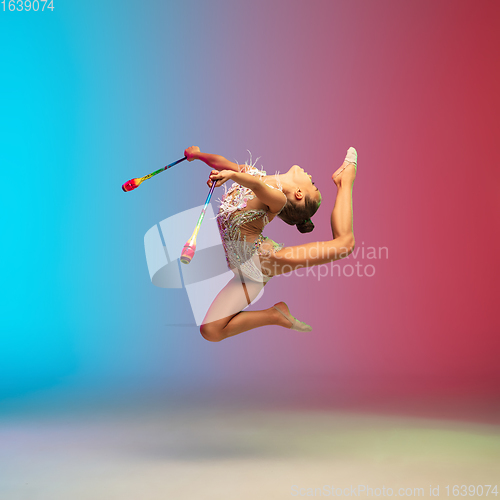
x,y
232,218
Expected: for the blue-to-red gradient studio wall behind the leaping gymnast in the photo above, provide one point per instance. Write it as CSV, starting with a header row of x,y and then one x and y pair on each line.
x,y
96,93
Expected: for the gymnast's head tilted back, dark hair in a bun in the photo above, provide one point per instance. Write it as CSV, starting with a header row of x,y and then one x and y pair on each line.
x,y
303,199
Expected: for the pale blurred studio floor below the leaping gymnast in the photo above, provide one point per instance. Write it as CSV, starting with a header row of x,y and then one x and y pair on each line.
x,y
229,453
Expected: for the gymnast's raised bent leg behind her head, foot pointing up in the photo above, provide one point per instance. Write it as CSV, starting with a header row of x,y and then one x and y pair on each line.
x,y
321,252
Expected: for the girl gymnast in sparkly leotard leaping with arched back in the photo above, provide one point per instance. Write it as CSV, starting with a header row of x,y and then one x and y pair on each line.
x,y
246,208
